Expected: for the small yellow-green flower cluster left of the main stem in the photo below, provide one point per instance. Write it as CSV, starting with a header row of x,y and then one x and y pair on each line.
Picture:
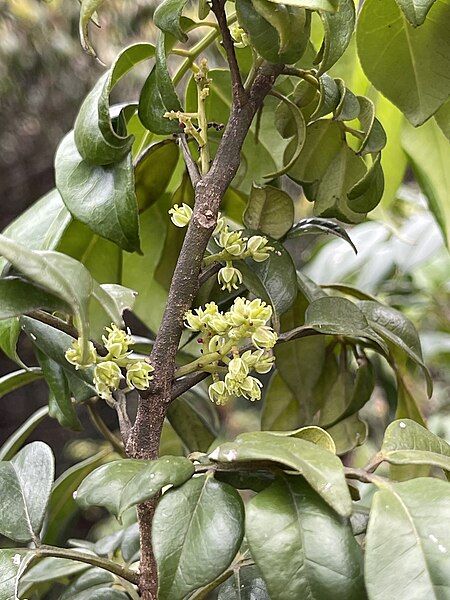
x,y
108,369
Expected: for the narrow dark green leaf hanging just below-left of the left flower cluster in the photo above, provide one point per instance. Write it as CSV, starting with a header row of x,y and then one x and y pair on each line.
x,y
60,399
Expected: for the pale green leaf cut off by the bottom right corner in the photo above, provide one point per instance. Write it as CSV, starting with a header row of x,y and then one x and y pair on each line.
x,y
413,562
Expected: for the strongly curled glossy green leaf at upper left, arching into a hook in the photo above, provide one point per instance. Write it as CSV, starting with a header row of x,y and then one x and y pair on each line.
x,y
99,140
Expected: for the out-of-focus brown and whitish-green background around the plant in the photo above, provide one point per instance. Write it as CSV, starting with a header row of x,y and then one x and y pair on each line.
x,y
44,75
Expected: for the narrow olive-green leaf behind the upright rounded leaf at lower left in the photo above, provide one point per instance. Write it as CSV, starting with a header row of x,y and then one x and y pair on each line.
x,y
62,507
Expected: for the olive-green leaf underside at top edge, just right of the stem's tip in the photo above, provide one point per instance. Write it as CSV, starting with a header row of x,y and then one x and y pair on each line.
x,y
278,36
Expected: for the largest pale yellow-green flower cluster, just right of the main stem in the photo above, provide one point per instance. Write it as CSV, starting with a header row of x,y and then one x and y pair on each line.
x,y
227,333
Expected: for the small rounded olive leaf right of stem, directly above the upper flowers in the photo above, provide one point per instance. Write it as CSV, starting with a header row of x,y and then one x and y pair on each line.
x,y
270,211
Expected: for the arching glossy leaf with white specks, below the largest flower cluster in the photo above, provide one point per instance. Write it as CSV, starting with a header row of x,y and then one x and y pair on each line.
x,y
321,469
